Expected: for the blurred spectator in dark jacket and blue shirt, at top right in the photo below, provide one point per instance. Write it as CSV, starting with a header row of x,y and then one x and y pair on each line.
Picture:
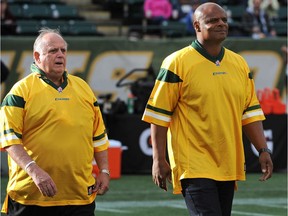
x,y
256,22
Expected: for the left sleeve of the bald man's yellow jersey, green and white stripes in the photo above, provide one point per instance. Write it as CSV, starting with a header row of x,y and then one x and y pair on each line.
x,y
165,94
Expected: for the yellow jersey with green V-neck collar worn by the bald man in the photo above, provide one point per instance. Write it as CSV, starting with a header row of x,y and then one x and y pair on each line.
x,y
204,101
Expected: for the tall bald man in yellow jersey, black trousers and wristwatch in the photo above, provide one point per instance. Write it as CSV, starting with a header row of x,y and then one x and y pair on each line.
x,y
203,99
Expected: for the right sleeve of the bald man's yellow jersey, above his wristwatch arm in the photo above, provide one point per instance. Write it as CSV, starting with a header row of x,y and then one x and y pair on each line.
x,y
253,111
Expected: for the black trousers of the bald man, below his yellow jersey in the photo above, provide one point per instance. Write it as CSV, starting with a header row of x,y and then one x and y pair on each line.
x,y
207,197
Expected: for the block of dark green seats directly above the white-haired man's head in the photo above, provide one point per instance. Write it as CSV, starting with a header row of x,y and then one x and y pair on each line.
x,y
34,14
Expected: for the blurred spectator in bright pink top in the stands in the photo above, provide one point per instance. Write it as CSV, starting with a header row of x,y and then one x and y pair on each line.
x,y
157,11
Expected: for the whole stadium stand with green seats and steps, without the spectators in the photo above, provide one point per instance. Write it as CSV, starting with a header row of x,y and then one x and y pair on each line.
x,y
109,17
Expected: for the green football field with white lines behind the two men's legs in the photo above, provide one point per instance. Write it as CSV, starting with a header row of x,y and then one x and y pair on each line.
x,y
136,195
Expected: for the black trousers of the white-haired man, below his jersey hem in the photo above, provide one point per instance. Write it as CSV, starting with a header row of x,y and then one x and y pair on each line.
x,y
17,209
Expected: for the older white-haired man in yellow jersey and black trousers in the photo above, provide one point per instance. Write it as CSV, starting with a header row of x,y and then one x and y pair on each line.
x,y
52,128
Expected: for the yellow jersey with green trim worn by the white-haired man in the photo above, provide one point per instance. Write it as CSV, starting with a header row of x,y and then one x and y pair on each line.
x,y
60,128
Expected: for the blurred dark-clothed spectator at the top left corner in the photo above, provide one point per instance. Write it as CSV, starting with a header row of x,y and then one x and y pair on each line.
x,y
8,21
